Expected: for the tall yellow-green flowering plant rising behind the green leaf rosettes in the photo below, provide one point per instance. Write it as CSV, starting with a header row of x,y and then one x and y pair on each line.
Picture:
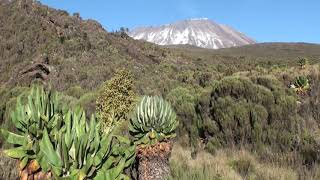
x,y
116,98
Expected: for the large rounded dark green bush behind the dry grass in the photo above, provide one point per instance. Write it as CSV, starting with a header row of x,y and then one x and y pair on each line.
x,y
255,113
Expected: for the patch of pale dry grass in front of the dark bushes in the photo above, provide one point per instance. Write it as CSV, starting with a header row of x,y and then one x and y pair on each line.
x,y
225,164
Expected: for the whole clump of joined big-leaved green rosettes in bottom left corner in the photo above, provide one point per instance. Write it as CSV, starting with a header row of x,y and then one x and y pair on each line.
x,y
52,142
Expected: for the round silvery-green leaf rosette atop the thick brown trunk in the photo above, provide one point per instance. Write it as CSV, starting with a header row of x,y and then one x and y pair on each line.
x,y
153,121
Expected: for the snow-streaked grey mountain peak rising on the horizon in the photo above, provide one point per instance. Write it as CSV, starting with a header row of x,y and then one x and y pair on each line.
x,y
200,32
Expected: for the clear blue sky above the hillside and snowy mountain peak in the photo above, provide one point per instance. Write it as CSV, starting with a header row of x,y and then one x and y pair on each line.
x,y
263,20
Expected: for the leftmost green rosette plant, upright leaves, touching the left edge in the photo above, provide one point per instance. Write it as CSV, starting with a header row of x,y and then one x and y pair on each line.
x,y
41,111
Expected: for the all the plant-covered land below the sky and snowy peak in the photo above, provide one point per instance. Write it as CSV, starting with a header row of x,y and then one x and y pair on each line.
x,y
67,85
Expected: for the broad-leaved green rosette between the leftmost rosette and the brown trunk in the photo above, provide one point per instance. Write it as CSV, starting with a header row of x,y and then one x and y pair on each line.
x,y
80,150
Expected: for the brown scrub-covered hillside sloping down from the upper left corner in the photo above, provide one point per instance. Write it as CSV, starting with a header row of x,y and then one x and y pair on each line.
x,y
40,43
